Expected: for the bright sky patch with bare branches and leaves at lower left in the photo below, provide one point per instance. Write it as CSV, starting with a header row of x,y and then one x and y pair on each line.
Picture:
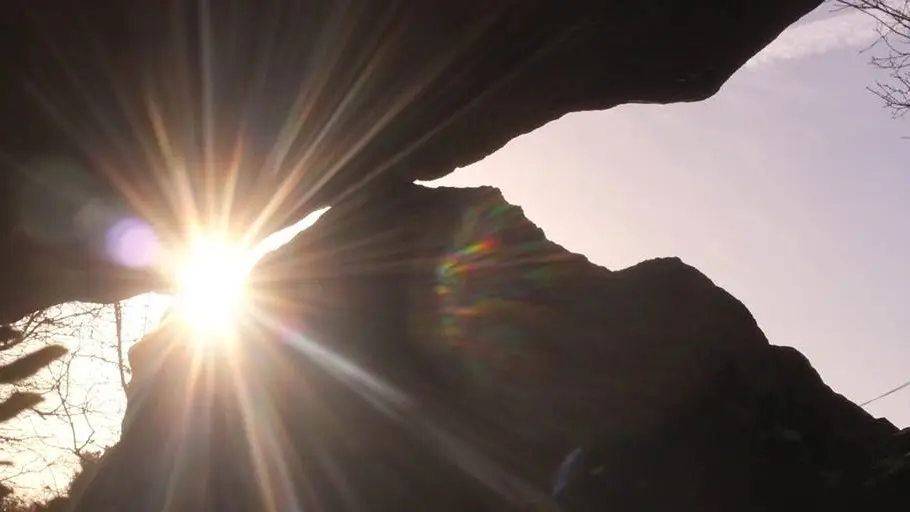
x,y
81,395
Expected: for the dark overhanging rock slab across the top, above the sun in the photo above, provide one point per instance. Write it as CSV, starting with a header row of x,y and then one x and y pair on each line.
x,y
385,90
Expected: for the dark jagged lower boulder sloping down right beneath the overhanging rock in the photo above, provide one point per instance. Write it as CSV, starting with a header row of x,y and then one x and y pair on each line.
x,y
498,353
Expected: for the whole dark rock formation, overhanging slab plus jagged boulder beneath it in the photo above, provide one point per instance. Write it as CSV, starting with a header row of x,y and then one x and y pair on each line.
x,y
499,352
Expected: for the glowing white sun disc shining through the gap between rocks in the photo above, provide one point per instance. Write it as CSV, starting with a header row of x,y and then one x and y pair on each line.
x,y
212,285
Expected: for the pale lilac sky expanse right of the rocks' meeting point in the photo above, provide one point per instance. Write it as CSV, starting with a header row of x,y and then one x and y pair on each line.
x,y
790,188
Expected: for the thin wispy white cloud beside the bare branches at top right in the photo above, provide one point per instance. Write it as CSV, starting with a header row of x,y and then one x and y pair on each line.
x,y
847,30
